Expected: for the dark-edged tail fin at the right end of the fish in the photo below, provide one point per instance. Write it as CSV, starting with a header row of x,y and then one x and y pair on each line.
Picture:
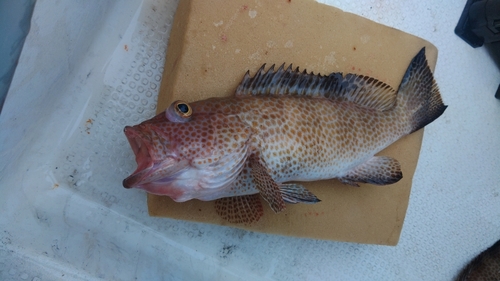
x,y
418,94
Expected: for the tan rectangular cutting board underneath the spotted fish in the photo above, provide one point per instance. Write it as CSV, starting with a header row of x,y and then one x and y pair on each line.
x,y
214,42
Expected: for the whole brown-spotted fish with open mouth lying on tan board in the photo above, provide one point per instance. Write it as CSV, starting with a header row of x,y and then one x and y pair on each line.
x,y
281,127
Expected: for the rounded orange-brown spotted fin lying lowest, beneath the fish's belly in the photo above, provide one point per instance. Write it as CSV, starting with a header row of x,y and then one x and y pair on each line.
x,y
240,209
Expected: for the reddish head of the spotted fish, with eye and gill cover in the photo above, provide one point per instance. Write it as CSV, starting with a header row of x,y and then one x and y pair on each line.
x,y
185,156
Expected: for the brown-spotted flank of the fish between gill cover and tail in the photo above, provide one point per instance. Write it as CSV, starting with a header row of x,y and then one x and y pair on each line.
x,y
302,136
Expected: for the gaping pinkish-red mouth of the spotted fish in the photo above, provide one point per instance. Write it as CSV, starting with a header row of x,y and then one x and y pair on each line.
x,y
148,169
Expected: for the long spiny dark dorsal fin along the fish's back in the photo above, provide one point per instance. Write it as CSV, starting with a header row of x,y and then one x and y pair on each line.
x,y
362,90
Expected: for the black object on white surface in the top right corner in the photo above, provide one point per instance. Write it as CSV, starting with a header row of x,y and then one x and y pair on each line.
x,y
480,24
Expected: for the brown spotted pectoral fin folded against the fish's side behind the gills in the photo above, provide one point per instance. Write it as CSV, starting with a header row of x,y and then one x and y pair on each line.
x,y
268,188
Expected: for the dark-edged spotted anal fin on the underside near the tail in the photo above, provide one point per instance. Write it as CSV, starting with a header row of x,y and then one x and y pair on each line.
x,y
380,170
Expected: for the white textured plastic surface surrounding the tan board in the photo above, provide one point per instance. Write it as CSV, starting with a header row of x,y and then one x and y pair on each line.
x,y
89,67
